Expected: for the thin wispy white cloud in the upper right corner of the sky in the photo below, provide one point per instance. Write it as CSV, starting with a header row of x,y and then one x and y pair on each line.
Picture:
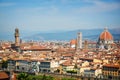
x,y
98,6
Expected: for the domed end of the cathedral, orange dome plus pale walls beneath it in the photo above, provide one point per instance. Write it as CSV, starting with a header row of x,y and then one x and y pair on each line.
x,y
105,40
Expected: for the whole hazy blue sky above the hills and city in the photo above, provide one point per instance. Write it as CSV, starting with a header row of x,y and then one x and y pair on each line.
x,y
58,15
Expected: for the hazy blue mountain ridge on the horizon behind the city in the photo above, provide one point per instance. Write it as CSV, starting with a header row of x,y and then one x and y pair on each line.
x,y
89,34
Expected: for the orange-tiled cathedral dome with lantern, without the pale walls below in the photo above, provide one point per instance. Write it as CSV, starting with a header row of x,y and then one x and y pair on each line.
x,y
106,35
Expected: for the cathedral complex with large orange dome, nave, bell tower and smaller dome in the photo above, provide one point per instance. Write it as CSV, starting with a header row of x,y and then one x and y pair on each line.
x,y
105,41
